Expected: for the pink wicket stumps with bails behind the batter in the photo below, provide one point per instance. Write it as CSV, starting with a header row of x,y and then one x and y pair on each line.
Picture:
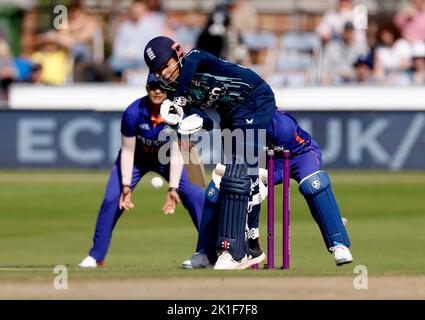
x,y
271,155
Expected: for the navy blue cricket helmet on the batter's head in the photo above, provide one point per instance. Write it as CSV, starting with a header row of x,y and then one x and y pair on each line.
x,y
159,50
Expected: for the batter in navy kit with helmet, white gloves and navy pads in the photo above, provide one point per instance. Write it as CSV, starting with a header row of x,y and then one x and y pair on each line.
x,y
243,100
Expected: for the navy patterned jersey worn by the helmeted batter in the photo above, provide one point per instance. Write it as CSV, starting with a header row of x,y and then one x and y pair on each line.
x,y
208,81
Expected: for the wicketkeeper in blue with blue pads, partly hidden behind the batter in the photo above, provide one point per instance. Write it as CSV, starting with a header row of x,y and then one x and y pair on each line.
x,y
314,185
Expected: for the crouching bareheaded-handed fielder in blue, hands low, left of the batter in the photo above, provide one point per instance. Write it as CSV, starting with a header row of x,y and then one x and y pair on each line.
x,y
140,127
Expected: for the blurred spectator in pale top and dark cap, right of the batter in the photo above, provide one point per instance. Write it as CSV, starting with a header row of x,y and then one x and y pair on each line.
x,y
339,57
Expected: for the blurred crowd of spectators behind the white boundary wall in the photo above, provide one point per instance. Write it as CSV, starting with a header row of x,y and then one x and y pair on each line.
x,y
108,47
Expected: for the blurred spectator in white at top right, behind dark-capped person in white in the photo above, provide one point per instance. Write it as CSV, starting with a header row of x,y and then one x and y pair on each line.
x,y
332,24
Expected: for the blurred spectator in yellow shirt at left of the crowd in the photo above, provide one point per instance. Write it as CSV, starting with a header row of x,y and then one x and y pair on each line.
x,y
52,58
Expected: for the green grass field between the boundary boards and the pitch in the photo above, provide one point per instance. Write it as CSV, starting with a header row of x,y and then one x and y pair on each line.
x,y
47,218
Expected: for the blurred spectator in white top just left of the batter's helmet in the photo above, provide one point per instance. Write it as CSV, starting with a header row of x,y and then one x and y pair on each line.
x,y
132,36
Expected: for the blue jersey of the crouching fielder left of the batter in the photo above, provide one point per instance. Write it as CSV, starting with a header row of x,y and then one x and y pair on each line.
x,y
138,122
